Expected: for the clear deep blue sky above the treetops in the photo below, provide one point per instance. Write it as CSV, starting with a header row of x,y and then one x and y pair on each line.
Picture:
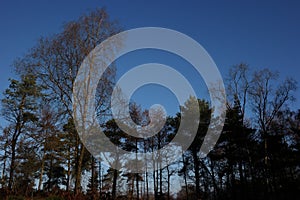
x,y
260,33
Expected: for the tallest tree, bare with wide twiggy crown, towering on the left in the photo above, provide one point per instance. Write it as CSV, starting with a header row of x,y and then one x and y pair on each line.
x,y
56,60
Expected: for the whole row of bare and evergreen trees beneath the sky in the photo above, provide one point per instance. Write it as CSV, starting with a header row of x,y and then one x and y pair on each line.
x,y
42,156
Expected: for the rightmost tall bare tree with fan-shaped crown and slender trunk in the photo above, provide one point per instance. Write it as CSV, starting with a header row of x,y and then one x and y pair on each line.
x,y
267,101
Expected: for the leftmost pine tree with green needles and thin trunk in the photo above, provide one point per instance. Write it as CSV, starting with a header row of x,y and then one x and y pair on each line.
x,y
19,107
